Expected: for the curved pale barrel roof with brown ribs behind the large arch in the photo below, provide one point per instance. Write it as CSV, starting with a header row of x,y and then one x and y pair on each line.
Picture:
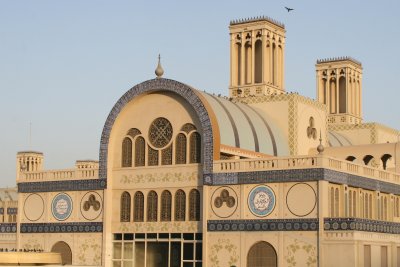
x,y
243,126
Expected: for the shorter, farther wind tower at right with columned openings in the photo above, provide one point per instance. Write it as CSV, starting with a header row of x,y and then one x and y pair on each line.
x,y
339,87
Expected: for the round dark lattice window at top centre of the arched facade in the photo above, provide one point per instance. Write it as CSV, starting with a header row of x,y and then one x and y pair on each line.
x,y
160,132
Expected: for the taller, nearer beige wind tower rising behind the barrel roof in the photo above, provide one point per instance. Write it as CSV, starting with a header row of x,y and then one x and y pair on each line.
x,y
257,48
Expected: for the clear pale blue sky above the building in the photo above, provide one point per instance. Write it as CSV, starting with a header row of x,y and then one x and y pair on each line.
x,y
63,64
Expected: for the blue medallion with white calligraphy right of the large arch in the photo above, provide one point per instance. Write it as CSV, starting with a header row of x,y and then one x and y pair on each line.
x,y
261,200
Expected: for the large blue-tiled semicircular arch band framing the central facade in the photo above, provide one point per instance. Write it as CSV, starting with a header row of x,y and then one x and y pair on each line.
x,y
203,111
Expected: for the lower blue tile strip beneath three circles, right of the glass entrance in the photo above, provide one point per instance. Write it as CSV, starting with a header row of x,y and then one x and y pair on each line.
x,y
262,225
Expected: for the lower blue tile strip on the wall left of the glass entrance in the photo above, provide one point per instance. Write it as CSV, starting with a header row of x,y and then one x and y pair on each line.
x,y
77,227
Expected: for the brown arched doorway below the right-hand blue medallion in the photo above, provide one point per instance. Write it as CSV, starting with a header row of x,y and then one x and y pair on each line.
x,y
262,254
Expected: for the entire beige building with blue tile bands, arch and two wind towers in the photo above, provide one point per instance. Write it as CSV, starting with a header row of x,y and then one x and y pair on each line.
x,y
260,178
